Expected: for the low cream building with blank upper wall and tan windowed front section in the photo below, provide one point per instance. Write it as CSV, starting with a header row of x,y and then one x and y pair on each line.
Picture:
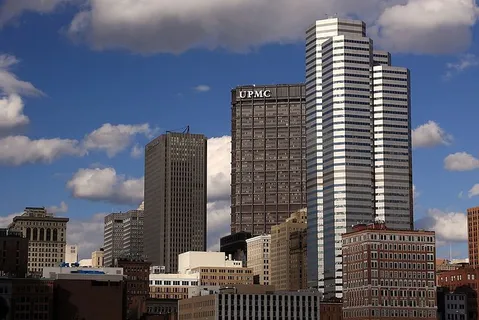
x,y
214,268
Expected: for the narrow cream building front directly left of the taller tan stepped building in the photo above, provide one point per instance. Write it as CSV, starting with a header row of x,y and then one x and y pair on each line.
x,y
258,257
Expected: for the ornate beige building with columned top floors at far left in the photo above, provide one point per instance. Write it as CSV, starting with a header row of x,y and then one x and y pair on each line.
x,y
46,235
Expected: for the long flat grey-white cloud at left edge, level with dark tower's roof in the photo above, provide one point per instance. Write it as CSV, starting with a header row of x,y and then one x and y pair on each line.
x,y
19,150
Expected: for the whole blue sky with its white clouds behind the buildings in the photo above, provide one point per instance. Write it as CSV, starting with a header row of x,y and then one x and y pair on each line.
x,y
85,84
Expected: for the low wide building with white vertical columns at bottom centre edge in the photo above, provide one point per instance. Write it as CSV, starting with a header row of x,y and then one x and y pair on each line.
x,y
242,303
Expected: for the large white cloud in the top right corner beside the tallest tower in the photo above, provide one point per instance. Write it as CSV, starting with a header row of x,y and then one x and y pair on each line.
x,y
421,26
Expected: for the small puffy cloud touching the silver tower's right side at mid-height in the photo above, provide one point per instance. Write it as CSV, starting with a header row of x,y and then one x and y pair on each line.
x,y
430,135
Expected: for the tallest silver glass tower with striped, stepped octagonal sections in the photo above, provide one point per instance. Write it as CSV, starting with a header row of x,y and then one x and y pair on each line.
x,y
358,143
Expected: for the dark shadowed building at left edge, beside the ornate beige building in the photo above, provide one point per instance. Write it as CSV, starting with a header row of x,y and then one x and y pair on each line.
x,y
13,254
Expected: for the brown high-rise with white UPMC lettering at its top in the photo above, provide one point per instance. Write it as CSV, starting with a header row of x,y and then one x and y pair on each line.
x,y
268,152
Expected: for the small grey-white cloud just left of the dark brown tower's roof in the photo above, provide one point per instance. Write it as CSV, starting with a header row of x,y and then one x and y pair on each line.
x,y
114,138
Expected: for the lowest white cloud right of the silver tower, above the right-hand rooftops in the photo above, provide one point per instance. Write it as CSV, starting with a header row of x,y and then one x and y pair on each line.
x,y
449,226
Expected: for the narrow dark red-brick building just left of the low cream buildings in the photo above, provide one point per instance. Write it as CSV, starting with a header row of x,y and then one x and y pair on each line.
x,y
137,274
